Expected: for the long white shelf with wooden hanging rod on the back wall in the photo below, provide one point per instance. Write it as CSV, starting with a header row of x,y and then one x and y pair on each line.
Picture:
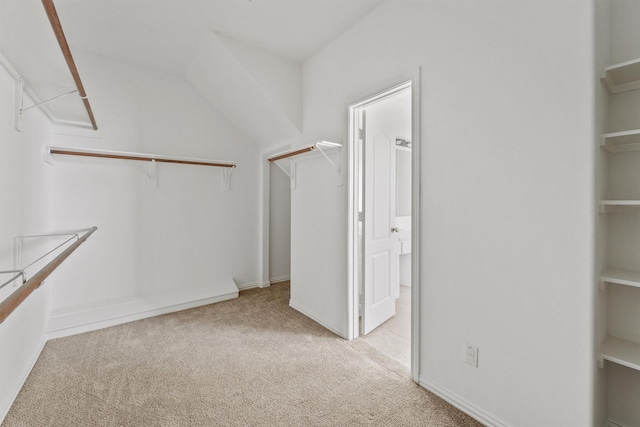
x,y
154,159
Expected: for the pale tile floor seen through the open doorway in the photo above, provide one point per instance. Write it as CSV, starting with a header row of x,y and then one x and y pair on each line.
x,y
393,337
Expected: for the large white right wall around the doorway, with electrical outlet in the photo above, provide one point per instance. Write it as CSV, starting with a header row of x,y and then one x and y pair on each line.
x,y
506,189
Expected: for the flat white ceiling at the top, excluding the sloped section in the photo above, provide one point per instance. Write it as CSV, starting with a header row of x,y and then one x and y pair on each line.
x,y
164,34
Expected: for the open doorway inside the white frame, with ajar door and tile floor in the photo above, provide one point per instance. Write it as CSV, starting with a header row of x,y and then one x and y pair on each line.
x,y
382,146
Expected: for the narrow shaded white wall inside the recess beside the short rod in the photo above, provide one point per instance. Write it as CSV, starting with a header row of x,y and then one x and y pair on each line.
x,y
279,225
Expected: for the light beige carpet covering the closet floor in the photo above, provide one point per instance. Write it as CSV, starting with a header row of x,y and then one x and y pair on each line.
x,y
252,361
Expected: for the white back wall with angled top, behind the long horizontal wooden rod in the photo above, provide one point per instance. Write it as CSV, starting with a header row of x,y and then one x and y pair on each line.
x,y
181,238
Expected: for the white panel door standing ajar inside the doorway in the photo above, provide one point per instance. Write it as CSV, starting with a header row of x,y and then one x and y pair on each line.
x,y
380,268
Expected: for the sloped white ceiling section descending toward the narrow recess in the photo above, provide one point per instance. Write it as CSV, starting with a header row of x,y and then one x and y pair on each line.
x,y
259,92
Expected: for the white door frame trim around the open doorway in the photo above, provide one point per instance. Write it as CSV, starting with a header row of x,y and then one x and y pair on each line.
x,y
354,249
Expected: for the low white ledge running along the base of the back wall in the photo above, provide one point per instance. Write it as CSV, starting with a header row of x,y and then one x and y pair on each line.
x,y
75,320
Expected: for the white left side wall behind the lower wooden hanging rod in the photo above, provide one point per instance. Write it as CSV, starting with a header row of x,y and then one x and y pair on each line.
x,y
25,207
